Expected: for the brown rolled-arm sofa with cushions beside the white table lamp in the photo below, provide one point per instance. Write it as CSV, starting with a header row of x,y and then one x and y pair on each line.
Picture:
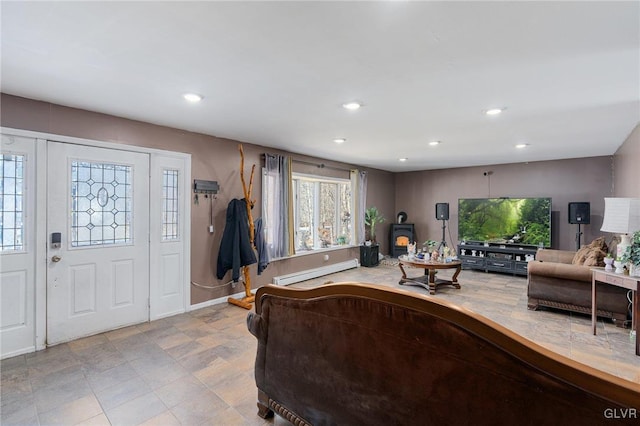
x,y
555,282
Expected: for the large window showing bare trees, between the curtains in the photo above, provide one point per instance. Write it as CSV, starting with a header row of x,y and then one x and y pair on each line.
x,y
322,216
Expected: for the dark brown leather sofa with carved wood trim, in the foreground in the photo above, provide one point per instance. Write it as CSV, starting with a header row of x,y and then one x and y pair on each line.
x,y
355,354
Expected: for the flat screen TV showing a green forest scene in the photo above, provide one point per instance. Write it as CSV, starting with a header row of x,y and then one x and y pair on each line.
x,y
525,221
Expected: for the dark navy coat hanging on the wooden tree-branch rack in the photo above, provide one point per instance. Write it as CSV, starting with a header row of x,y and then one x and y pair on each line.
x,y
235,248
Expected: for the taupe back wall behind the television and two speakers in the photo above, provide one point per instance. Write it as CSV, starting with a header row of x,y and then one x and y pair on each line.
x,y
576,180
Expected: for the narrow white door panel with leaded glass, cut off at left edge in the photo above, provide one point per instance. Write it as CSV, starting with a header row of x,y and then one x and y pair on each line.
x,y
17,245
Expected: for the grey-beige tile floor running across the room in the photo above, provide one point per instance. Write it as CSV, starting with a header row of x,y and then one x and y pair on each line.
x,y
197,368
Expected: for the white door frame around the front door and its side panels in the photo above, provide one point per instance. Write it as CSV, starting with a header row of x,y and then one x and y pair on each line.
x,y
41,219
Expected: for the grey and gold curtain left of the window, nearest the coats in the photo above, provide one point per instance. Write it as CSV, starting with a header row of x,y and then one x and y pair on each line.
x,y
278,205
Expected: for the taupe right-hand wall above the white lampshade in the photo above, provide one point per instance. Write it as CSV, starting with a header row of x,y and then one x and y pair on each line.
x,y
627,167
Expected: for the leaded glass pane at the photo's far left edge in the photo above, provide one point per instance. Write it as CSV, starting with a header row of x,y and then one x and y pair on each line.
x,y
11,202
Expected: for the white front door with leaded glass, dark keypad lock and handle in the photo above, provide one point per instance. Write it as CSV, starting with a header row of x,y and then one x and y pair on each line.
x,y
98,240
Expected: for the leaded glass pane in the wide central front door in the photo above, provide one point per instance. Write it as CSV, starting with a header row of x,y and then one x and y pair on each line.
x,y
101,204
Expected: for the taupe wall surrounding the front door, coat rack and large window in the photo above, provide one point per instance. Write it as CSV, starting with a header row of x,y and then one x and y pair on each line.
x,y
212,159
